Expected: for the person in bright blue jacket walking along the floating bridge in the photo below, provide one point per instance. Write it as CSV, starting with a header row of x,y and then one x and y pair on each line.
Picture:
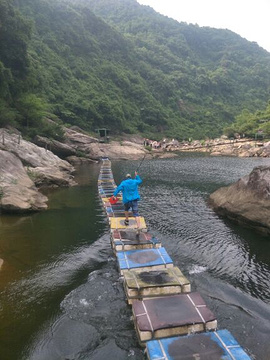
x,y
130,192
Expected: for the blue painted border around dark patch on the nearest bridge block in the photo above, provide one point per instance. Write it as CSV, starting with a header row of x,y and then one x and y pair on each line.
x,y
231,350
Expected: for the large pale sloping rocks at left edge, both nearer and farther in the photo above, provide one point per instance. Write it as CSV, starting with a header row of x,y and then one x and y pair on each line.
x,y
24,169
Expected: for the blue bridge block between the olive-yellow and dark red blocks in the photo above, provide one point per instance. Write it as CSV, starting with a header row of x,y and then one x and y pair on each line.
x,y
132,259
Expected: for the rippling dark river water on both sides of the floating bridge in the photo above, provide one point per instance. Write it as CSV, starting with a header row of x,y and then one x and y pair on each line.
x,y
61,295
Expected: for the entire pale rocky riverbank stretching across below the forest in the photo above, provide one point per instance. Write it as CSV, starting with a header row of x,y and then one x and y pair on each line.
x,y
27,168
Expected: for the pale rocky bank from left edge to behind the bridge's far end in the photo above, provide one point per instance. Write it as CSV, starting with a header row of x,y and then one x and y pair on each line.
x,y
26,168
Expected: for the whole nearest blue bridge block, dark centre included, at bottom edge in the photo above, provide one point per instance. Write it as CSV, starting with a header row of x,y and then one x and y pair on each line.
x,y
213,345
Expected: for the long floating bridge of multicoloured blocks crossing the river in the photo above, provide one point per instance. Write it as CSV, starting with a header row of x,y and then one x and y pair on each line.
x,y
170,320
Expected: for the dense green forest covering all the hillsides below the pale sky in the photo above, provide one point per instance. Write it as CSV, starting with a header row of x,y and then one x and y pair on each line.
x,y
121,65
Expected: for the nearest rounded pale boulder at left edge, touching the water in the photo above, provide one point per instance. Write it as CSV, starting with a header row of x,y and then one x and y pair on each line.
x,y
18,192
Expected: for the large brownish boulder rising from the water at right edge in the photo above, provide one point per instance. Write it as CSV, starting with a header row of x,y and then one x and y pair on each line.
x,y
247,201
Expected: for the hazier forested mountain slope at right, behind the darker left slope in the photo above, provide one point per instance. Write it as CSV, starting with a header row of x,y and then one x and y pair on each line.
x,y
213,73
